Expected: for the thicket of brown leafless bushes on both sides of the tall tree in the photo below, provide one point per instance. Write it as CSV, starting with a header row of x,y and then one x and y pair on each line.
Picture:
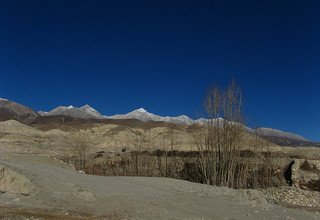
x,y
251,172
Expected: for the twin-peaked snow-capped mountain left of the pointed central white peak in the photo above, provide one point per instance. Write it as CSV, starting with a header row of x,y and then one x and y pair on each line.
x,y
85,112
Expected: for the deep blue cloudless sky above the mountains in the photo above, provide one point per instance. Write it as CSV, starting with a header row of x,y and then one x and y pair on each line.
x,y
162,55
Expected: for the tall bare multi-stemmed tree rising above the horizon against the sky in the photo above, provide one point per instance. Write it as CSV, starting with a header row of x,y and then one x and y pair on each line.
x,y
219,139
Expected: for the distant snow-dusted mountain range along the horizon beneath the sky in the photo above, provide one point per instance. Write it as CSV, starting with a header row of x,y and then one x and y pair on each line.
x,y
13,110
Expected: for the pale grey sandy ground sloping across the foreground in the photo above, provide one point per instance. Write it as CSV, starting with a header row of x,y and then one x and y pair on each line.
x,y
59,192
